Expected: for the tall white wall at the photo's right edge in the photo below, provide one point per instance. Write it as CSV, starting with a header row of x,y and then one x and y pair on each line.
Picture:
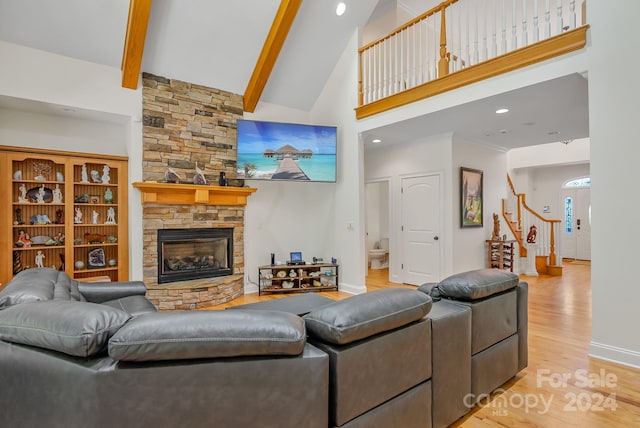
x,y
613,115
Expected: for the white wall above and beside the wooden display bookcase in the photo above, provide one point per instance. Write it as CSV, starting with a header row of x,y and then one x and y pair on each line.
x,y
92,89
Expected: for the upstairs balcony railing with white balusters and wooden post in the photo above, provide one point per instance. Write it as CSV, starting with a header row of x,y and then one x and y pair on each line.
x,y
455,35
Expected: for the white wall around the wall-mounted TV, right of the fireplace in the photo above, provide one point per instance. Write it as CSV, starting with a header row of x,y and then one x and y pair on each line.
x,y
319,219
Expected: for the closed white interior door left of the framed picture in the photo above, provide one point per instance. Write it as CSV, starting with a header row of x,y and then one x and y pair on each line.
x,y
420,228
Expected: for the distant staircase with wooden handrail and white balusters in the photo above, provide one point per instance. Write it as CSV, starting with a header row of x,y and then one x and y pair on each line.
x,y
520,218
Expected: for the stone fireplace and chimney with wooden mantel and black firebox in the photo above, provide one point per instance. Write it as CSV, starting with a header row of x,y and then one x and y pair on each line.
x,y
188,126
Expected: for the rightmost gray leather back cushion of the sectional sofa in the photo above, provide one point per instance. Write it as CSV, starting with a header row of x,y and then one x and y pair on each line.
x,y
476,284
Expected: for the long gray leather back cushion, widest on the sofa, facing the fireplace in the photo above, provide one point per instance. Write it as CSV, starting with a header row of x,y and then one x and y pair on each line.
x,y
208,334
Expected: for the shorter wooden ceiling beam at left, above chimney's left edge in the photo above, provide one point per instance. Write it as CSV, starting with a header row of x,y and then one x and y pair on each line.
x,y
139,11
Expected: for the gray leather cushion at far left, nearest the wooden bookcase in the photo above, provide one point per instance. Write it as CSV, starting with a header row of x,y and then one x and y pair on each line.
x,y
30,285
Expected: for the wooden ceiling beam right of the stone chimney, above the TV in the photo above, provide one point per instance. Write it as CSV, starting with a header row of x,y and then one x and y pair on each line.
x,y
270,50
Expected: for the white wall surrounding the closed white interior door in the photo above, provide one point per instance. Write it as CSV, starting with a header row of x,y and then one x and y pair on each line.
x,y
426,156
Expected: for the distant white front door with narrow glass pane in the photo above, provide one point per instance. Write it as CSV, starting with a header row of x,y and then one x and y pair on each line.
x,y
576,223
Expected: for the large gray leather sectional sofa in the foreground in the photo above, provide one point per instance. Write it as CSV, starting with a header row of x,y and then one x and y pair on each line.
x,y
99,355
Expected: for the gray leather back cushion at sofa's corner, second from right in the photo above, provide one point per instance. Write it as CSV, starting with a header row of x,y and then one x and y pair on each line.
x,y
364,315
